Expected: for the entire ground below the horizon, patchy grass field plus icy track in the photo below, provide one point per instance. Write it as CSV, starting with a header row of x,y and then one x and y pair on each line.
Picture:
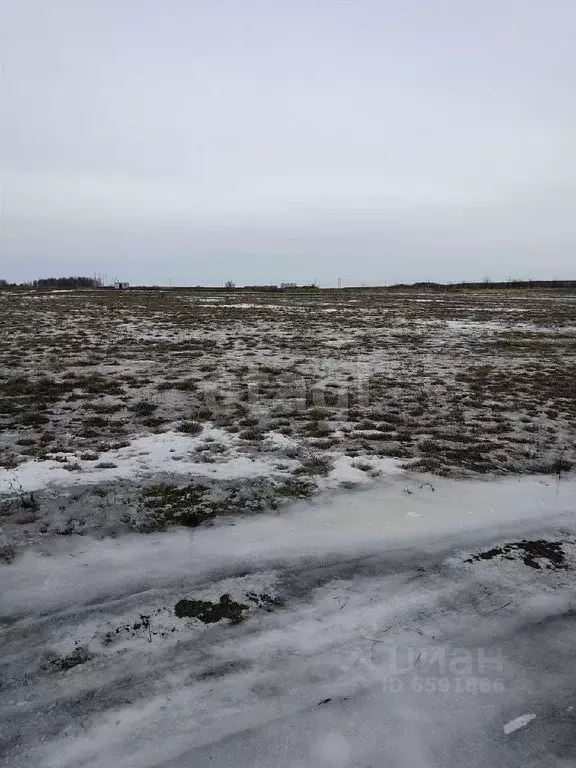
x,y
363,470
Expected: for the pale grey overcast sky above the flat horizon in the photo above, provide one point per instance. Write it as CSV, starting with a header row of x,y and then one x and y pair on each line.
x,y
297,140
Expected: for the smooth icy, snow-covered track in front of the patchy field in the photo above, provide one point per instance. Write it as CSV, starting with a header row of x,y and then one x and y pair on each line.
x,y
371,636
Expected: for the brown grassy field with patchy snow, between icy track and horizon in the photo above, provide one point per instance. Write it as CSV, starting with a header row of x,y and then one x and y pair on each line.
x,y
243,400
